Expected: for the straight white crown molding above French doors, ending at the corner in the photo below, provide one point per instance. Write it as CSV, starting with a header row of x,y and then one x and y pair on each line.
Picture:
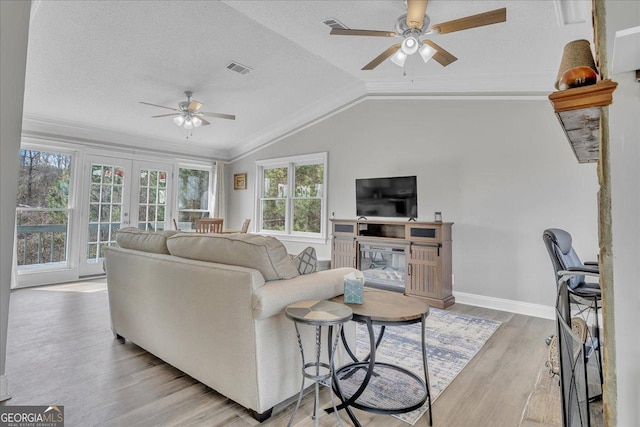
x,y
45,128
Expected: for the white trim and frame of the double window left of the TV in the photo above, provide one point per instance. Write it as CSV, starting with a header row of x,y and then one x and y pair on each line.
x,y
290,162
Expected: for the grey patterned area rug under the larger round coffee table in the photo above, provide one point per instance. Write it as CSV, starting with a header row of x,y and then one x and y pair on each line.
x,y
452,339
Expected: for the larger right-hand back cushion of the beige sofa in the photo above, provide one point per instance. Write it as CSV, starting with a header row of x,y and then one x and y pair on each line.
x,y
264,253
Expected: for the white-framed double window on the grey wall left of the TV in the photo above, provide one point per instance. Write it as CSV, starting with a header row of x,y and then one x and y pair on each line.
x,y
291,195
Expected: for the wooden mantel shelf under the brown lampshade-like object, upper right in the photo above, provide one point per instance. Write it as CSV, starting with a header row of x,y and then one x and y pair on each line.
x,y
578,111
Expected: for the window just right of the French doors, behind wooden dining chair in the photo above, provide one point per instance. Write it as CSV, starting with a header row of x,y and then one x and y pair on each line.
x,y
194,188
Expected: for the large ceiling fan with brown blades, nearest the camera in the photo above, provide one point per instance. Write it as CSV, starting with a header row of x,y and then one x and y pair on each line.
x,y
415,24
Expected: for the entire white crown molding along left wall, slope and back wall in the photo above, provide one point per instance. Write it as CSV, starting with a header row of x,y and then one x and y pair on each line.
x,y
491,87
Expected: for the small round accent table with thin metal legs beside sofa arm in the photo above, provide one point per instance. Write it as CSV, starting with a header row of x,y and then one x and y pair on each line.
x,y
318,314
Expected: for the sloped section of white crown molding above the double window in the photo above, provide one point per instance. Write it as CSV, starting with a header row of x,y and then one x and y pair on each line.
x,y
318,111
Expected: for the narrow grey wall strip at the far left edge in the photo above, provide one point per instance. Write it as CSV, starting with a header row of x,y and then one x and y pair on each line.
x,y
14,30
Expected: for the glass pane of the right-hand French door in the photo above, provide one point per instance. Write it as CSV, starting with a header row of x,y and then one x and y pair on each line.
x,y
151,207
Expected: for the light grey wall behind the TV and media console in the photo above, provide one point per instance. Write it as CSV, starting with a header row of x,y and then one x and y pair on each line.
x,y
501,170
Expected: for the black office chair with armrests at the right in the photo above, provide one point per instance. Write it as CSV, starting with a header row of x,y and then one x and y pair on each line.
x,y
571,273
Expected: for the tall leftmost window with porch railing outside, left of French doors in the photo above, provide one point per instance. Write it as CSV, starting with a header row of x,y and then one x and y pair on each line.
x,y
43,209
